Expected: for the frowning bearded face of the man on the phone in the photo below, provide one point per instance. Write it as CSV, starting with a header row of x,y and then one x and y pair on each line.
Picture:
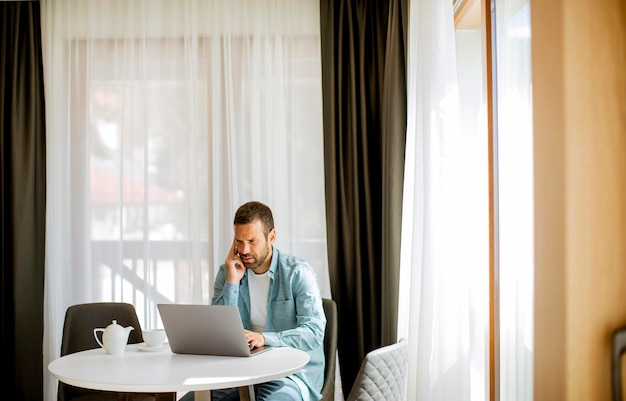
x,y
252,245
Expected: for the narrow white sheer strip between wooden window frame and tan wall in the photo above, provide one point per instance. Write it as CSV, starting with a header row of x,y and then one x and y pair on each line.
x,y
515,191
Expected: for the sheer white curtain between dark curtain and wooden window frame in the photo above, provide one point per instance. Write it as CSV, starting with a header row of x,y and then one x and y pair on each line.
x,y
444,298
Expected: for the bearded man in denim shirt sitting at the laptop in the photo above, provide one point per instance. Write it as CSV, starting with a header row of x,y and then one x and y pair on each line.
x,y
279,301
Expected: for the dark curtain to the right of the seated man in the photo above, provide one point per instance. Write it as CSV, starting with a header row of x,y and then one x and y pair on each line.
x,y
364,93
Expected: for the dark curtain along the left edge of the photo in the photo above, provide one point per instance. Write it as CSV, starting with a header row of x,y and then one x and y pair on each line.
x,y
22,179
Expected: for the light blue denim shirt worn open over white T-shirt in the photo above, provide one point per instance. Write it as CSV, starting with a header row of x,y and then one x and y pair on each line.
x,y
295,316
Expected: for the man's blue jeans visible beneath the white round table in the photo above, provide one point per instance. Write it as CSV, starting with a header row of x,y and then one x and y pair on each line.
x,y
283,389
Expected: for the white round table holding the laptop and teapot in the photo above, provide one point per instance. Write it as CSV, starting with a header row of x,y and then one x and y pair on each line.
x,y
163,371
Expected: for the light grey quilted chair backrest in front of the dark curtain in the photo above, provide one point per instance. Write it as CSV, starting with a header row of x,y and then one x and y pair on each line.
x,y
383,374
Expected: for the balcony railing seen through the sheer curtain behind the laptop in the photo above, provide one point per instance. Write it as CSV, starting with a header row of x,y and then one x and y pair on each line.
x,y
146,273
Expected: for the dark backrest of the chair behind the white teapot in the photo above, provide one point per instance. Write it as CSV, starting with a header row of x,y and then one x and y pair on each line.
x,y
80,320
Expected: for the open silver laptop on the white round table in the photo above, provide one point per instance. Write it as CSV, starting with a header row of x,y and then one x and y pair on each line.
x,y
205,330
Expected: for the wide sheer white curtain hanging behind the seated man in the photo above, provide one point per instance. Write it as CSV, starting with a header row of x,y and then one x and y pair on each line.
x,y
162,118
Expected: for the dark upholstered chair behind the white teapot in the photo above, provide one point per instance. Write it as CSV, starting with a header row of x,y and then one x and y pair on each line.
x,y
80,320
